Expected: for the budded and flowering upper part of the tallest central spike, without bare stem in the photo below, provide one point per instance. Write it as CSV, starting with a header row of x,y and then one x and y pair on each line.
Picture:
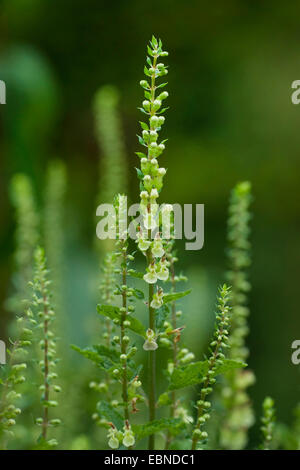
x,y
151,175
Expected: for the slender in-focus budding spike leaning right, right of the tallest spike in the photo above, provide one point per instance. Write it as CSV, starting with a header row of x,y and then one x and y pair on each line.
x,y
216,359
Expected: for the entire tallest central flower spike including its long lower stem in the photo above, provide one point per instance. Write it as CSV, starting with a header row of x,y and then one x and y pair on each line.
x,y
151,182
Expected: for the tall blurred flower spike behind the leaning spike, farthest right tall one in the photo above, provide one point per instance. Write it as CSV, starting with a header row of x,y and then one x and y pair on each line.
x,y
239,415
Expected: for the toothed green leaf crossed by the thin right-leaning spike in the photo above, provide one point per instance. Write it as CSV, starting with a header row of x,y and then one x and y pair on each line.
x,y
193,373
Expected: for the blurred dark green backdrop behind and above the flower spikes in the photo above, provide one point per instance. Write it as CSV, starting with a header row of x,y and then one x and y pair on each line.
x,y
231,118
